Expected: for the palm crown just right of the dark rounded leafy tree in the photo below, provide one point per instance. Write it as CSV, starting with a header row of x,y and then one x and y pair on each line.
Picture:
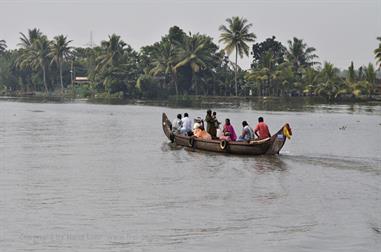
x,y
300,55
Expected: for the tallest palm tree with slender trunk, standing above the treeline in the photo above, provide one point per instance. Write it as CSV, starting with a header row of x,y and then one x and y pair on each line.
x,y
235,36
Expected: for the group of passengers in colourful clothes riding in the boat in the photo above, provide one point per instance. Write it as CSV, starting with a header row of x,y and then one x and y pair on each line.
x,y
183,125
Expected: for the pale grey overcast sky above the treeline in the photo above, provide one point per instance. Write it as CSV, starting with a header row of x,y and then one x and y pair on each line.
x,y
340,30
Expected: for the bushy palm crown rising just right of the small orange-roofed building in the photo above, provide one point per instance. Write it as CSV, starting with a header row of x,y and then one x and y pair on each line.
x,y
113,50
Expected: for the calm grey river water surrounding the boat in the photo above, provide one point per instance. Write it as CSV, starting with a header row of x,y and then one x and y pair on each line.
x,y
90,177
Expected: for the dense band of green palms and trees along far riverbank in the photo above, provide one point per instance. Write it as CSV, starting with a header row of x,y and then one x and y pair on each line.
x,y
180,64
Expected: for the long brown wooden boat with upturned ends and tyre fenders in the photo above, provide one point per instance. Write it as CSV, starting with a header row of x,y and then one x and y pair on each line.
x,y
271,145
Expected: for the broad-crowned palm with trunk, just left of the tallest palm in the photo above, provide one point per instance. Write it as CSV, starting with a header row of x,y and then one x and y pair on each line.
x,y
197,52
